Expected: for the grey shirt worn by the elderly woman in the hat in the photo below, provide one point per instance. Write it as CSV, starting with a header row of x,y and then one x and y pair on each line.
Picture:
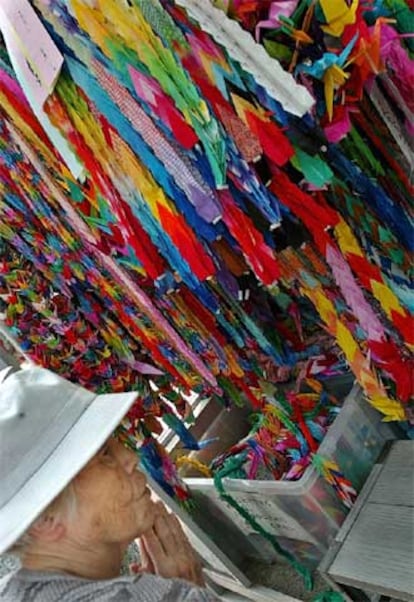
x,y
34,586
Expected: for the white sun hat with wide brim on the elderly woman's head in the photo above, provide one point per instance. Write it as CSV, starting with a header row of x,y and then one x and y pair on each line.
x,y
49,429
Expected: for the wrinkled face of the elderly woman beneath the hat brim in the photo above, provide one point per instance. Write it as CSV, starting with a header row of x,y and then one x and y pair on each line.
x,y
114,502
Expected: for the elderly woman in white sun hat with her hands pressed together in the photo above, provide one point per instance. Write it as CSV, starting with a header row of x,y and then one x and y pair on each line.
x,y
72,500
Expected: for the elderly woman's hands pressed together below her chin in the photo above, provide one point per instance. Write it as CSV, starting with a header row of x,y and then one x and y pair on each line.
x,y
166,551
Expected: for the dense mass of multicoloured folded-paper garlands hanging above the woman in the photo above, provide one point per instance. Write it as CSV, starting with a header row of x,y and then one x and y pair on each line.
x,y
219,222
